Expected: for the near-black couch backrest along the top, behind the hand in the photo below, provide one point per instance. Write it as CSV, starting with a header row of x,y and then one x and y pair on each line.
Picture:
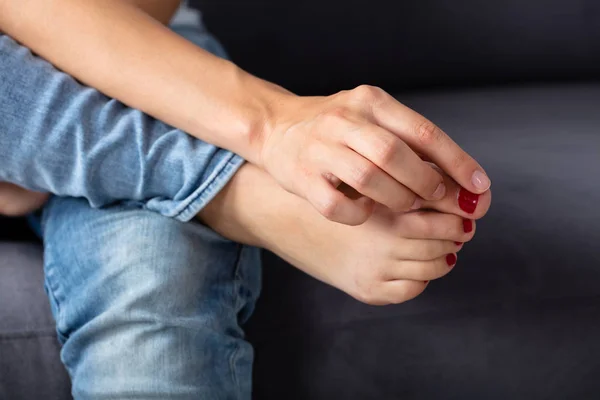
x,y
319,47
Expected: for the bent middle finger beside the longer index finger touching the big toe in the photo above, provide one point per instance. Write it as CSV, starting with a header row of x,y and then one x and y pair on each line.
x,y
392,155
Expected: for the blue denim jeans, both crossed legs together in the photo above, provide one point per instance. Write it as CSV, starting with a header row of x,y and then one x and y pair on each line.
x,y
146,307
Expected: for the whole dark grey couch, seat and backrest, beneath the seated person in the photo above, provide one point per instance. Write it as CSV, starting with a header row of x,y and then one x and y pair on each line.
x,y
519,318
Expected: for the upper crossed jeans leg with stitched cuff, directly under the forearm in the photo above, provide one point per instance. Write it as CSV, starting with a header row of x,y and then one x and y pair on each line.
x,y
60,137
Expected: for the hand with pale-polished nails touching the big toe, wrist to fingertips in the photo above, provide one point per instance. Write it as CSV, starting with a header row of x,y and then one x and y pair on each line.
x,y
369,141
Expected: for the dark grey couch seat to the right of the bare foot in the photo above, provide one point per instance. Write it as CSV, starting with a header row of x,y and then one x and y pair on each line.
x,y
518,318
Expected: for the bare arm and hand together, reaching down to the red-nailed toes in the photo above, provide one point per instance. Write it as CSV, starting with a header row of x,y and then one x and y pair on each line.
x,y
377,143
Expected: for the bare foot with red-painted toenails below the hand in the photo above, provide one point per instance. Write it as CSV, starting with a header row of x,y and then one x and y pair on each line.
x,y
388,259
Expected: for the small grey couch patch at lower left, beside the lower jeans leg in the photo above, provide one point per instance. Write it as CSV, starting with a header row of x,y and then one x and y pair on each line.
x,y
30,367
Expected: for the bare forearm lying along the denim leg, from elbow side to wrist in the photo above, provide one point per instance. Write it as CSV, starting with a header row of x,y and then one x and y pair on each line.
x,y
123,52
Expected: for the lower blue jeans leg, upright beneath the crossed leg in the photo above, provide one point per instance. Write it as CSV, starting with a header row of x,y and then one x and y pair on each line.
x,y
148,307
